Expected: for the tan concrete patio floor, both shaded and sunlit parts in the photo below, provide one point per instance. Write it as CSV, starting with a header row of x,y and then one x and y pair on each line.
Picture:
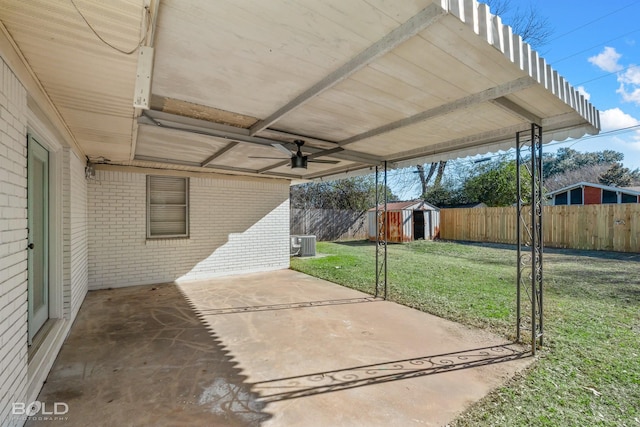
x,y
269,349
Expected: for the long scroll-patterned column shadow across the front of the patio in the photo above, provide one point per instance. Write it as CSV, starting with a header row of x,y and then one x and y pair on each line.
x,y
365,375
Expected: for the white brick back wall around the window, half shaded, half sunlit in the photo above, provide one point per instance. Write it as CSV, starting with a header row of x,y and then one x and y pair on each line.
x,y
236,226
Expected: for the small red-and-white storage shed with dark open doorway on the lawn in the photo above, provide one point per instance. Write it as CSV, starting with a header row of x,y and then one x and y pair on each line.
x,y
408,221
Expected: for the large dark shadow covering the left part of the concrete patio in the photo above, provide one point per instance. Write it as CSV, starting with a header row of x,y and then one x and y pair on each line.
x,y
141,356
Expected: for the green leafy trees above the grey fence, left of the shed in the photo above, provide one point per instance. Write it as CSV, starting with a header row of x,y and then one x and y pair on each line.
x,y
358,194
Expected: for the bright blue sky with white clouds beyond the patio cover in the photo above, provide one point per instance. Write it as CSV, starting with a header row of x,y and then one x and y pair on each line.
x,y
595,45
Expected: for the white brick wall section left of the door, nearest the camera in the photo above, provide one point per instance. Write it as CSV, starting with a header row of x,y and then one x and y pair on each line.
x,y
13,241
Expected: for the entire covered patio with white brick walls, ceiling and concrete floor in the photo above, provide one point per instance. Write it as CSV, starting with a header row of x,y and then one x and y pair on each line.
x,y
167,136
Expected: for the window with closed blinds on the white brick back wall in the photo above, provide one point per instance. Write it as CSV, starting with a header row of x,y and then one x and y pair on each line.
x,y
167,206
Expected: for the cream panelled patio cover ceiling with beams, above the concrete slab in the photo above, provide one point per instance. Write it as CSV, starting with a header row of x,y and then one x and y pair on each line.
x,y
361,82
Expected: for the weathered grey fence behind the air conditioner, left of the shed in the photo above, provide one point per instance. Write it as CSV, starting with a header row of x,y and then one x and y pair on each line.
x,y
329,224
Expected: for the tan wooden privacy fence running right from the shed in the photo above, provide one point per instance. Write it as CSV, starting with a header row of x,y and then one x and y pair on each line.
x,y
592,227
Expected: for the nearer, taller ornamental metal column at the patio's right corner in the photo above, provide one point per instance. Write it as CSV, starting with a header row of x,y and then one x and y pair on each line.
x,y
529,234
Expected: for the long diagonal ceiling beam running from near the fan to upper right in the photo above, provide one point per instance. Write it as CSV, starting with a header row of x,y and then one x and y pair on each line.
x,y
410,28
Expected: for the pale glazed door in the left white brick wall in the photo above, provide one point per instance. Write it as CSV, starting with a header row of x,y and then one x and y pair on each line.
x,y
38,244
